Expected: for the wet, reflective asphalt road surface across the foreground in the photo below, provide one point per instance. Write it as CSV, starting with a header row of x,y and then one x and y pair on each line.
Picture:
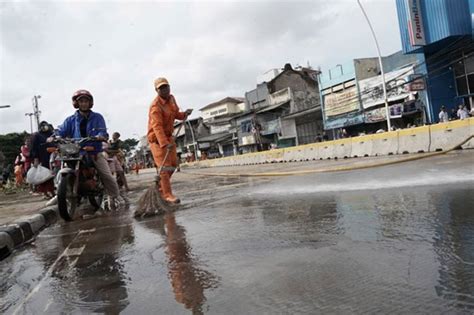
x,y
395,239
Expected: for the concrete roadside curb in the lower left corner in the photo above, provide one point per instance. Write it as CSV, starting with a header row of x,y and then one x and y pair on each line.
x,y
25,230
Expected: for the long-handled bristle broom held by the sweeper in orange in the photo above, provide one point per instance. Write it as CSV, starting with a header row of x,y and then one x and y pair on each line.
x,y
151,203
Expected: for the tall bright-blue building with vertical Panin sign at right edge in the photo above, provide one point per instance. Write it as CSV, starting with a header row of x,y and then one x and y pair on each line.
x,y
441,30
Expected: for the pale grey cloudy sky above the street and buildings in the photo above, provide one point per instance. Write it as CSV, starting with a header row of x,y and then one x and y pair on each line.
x,y
208,50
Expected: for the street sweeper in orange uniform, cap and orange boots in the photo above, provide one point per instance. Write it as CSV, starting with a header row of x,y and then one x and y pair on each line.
x,y
162,114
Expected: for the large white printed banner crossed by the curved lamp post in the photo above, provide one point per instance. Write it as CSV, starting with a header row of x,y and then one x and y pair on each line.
x,y
371,89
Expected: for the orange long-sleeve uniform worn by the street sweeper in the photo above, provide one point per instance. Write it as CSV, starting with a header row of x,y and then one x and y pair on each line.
x,y
161,119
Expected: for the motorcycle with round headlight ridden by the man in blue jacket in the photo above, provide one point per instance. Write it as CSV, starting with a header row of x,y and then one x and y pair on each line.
x,y
77,176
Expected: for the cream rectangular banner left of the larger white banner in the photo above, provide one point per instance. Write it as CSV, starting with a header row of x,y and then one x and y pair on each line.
x,y
341,102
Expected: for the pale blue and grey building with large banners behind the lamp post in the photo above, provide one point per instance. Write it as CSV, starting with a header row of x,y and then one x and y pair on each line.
x,y
352,95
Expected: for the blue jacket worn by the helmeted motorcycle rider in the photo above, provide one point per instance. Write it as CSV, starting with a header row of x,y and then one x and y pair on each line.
x,y
70,128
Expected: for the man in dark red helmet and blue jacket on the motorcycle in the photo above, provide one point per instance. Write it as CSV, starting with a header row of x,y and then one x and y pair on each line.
x,y
86,123
